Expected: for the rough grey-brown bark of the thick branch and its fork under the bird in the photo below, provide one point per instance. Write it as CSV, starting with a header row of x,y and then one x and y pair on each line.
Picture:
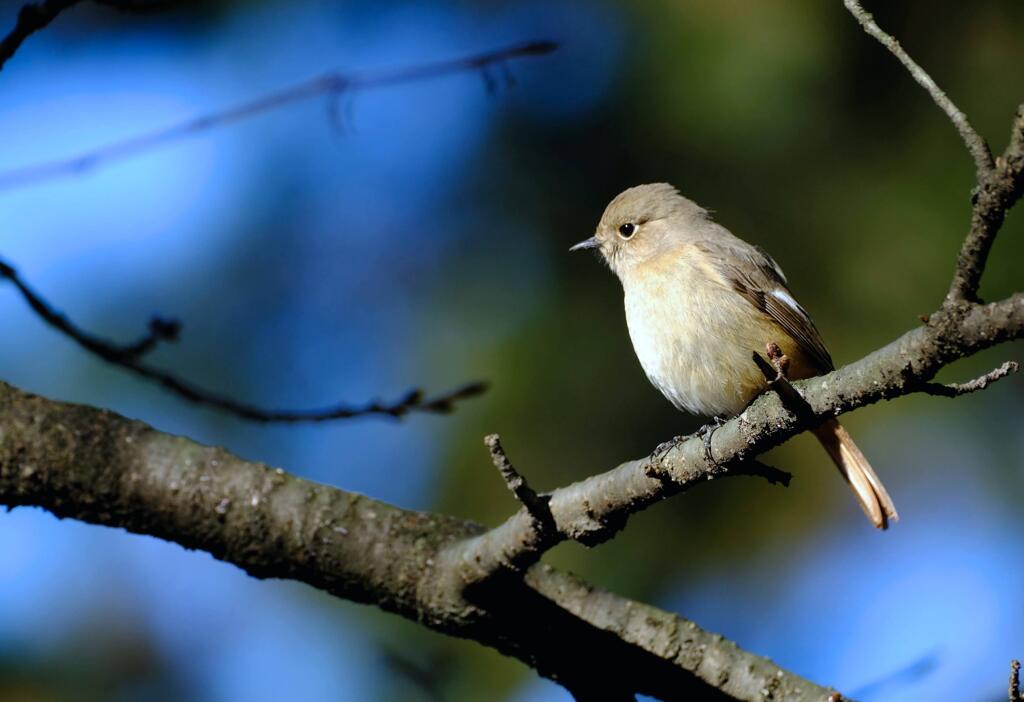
x,y
450,575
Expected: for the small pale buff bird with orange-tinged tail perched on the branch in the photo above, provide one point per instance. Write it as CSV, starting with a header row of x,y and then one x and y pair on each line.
x,y
700,301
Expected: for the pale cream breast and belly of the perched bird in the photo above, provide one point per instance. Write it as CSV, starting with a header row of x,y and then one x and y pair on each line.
x,y
695,336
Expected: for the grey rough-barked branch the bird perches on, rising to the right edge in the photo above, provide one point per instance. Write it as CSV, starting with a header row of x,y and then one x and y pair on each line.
x,y
595,509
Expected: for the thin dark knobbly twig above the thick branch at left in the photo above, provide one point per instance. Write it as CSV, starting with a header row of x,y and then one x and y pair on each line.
x,y
130,358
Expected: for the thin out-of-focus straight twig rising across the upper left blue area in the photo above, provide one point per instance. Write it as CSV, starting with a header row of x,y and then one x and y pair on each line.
x,y
332,85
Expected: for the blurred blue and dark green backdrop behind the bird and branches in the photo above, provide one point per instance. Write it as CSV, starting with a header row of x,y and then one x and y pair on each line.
x,y
423,242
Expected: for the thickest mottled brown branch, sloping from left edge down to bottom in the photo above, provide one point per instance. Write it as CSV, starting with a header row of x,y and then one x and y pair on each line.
x,y
97,467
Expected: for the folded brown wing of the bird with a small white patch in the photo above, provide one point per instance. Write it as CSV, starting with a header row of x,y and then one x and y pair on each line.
x,y
754,274
